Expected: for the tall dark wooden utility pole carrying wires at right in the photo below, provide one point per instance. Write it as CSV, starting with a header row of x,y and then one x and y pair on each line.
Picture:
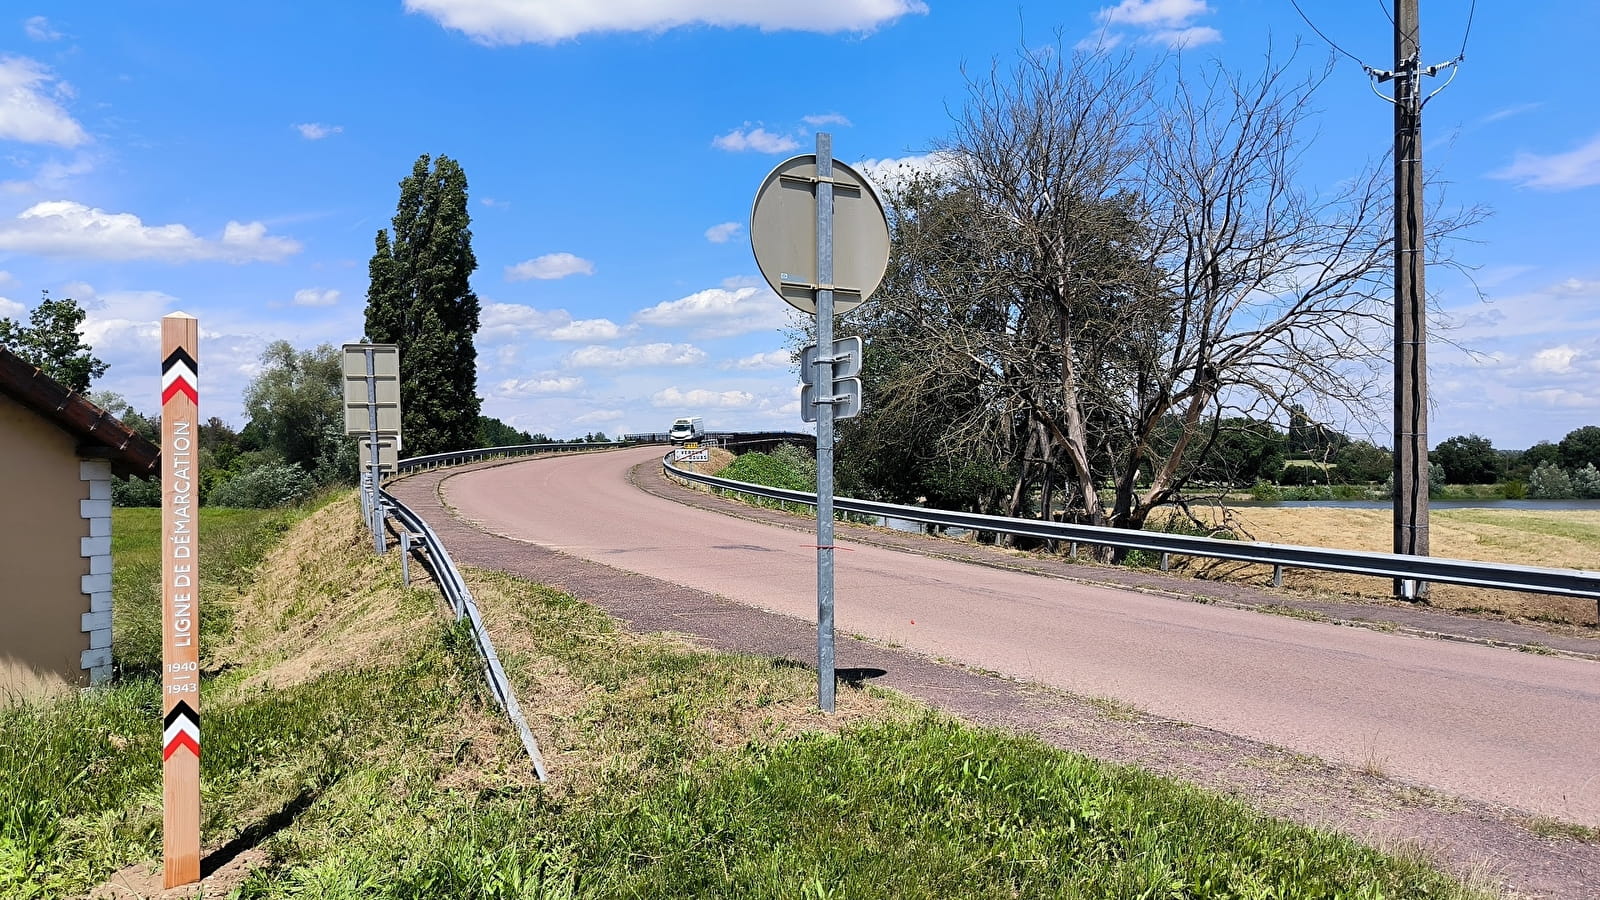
x,y
1410,475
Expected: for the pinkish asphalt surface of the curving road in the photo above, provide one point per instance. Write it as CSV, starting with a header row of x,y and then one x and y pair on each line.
x,y
1494,725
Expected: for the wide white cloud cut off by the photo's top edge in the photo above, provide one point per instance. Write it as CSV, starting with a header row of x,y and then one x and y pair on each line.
x,y
550,22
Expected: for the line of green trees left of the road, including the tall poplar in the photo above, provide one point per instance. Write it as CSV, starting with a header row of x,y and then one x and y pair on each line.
x,y
294,441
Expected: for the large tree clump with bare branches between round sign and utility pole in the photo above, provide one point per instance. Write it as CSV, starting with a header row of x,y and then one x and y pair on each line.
x,y
1121,260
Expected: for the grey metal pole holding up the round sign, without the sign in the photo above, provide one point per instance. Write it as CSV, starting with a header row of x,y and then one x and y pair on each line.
x,y
825,422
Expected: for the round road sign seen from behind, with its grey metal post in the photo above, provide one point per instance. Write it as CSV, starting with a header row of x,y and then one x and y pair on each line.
x,y
804,275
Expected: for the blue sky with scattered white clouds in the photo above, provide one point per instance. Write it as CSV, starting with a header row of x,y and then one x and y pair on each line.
x,y
236,163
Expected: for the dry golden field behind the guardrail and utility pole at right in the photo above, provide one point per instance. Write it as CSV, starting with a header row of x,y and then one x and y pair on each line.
x,y
1566,539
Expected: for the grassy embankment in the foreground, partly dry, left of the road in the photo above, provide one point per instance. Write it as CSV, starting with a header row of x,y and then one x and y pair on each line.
x,y
351,752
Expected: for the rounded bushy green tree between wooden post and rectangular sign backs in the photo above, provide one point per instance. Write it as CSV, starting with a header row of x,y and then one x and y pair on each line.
x,y
298,408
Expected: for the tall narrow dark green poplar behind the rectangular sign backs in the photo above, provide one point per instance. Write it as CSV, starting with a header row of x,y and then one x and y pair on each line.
x,y
420,299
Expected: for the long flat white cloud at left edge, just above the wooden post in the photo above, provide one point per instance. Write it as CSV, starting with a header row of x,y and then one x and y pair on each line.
x,y
62,228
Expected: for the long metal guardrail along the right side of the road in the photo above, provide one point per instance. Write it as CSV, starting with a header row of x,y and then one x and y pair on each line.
x,y
1561,582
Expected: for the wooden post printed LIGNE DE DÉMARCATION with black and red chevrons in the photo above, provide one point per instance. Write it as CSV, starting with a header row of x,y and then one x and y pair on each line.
x,y
180,600
